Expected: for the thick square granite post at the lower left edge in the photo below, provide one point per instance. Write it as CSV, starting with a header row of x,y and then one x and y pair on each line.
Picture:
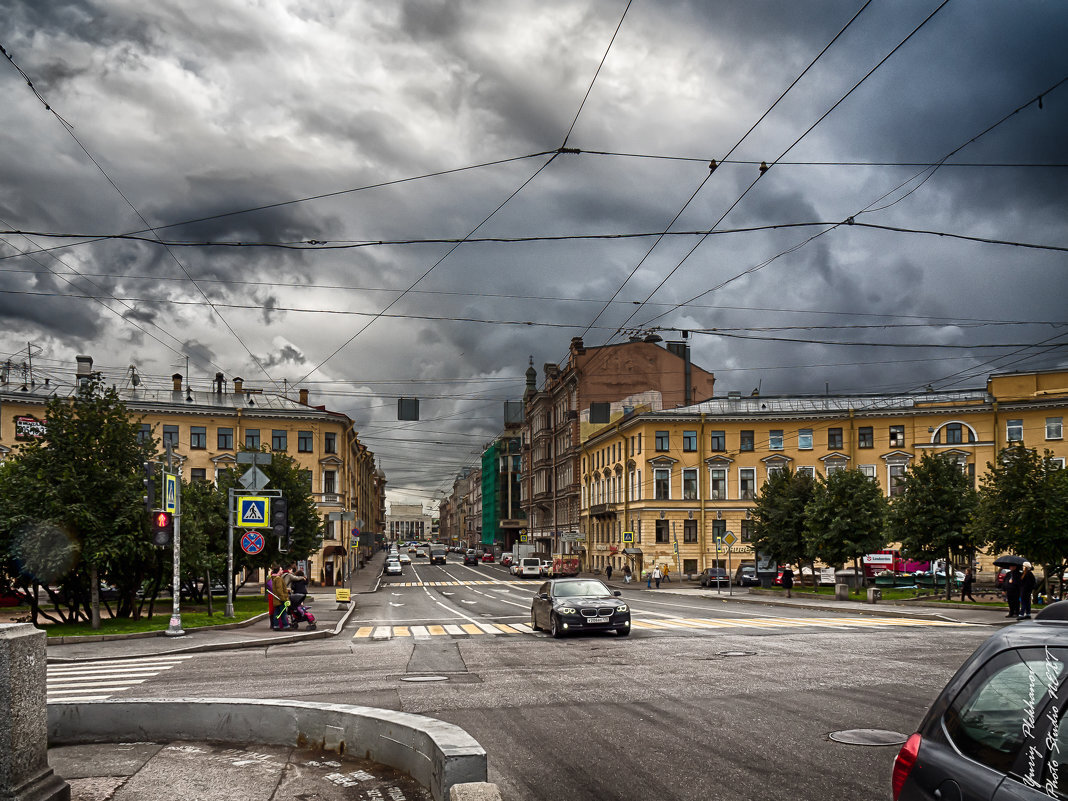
x,y
25,775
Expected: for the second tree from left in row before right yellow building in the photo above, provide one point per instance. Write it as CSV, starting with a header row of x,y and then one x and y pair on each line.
x,y
846,519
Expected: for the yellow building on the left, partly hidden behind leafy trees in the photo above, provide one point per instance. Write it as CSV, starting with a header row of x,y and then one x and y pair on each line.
x,y
208,429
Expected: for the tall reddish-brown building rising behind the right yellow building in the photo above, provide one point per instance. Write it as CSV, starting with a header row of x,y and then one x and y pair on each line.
x,y
598,387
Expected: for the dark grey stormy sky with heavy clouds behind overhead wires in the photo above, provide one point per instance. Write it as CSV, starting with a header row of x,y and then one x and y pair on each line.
x,y
205,109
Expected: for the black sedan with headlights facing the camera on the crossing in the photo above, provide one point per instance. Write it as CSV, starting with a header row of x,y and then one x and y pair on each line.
x,y
563,606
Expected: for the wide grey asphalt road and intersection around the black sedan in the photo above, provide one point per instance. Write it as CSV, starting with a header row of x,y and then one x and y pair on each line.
x,y
709,699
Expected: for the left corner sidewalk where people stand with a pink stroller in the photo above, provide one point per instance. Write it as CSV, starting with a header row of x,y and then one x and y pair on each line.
x,y
331,617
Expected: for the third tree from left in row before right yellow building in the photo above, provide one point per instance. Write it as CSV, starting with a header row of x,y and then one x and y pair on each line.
x,y
931,519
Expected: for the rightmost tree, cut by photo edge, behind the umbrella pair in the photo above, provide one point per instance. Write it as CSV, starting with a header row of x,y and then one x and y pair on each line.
x,y
1024,508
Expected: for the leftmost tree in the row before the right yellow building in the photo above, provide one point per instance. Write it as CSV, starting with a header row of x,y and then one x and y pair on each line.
x,y
780,519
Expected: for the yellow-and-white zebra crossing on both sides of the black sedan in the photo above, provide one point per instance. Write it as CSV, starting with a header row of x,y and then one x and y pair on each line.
x,y
661,625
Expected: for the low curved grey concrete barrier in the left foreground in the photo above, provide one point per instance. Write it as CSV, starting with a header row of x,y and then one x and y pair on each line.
x,y
434,753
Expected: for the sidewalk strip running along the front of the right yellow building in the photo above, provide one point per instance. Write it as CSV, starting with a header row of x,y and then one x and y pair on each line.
x,y
975,615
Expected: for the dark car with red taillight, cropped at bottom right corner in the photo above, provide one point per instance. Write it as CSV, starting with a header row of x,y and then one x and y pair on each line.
x,y
999,730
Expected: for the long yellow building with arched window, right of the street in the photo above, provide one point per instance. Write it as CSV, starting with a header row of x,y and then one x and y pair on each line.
x,y
690,476
